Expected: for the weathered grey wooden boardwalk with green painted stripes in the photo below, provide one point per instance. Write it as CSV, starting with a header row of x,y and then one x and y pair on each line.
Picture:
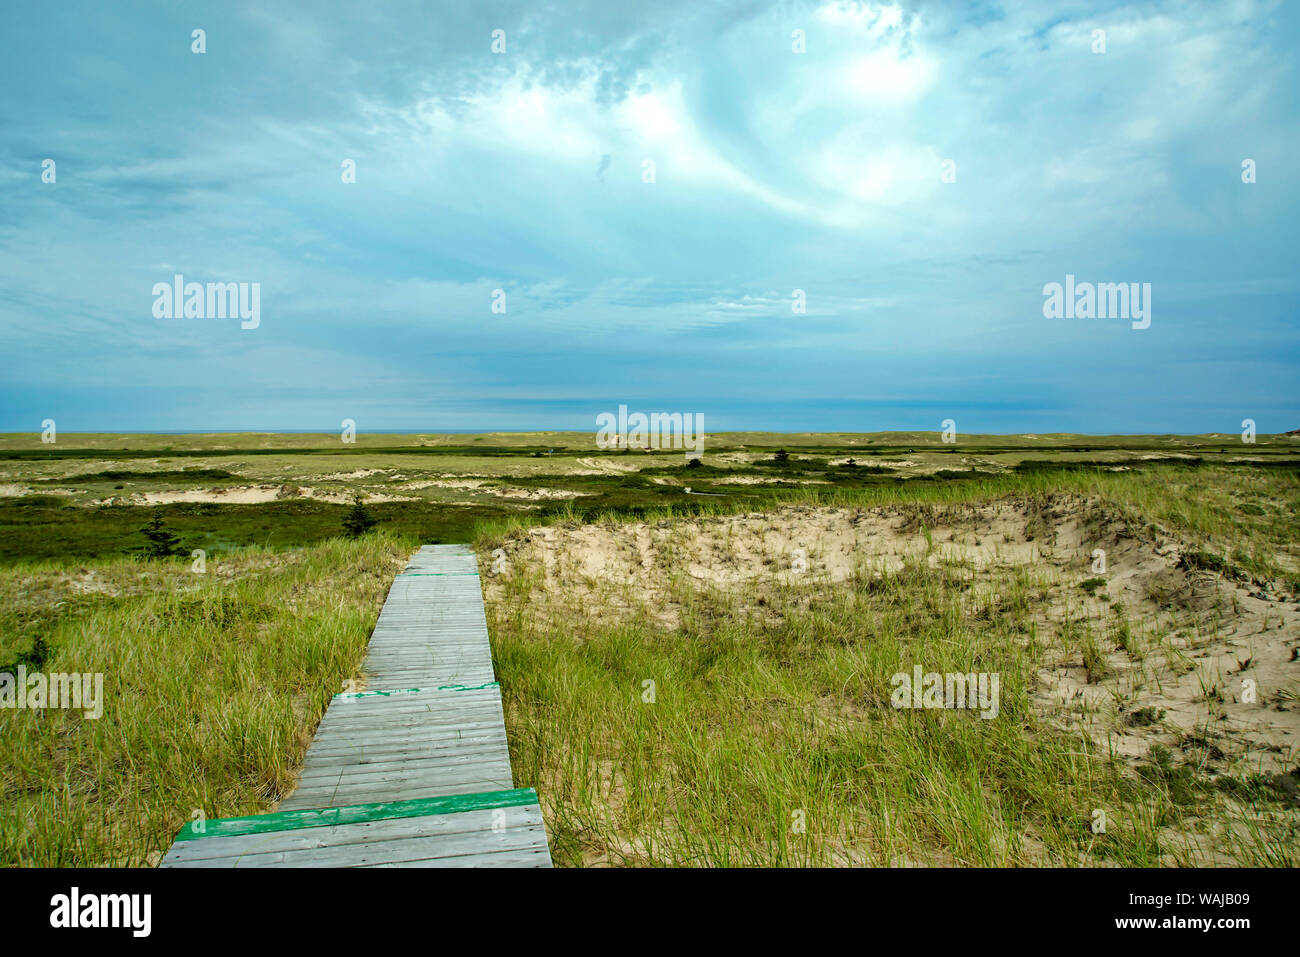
x,y
415,770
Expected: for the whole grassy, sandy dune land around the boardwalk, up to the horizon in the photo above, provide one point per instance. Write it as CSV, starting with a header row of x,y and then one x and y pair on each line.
x,y
690,681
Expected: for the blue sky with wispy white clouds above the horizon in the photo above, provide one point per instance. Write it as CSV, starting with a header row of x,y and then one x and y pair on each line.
x,y
651,187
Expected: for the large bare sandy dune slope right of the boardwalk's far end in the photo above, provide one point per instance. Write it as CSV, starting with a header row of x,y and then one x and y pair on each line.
x,y
1202,639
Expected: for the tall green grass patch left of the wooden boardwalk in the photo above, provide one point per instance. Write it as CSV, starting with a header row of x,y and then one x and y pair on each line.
x,y
213,685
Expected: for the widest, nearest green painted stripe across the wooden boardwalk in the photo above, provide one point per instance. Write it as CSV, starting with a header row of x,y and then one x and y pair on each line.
x,y
358,815
